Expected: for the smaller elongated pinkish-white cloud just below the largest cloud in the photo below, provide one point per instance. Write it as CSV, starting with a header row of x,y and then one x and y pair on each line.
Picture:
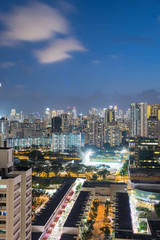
x,y
59,50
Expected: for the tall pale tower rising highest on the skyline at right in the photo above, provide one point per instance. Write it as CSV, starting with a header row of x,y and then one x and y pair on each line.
x,y
138,120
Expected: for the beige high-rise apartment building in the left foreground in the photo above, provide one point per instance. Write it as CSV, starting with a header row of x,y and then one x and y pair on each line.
x,y
15,199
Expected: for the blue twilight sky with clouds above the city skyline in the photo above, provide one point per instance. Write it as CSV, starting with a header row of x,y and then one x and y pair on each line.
x,y
81,53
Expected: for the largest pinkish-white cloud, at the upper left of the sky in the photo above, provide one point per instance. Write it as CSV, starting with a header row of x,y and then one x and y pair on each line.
x,y
35,22
